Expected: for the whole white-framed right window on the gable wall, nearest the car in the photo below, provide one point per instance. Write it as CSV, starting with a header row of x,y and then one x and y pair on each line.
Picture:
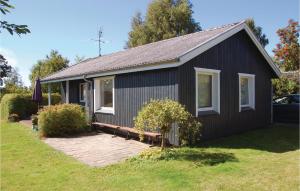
x,y
246,91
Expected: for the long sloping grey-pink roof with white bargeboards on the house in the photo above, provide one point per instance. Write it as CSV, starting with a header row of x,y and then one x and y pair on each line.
x,y
162,54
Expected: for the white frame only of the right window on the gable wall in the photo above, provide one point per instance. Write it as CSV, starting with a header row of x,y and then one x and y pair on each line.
x,y
251,91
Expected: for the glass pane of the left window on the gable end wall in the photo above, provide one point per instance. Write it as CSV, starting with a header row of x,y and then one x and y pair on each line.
x,y
204,90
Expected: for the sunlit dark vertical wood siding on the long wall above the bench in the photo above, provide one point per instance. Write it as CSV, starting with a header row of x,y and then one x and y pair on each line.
x,y
134,89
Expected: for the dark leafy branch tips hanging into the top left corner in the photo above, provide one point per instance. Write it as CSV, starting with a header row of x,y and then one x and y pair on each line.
x,y
11,28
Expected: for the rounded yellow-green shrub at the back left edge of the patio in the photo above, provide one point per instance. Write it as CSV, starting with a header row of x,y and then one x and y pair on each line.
x,y
62,120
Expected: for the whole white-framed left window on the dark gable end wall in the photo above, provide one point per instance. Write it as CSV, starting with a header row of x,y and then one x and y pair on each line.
x,y
207,90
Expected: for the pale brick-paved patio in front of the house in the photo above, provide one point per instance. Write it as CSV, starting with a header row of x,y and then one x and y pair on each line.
x,y
98,150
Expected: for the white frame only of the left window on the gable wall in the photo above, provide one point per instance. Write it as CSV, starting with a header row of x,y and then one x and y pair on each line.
x,y
215,89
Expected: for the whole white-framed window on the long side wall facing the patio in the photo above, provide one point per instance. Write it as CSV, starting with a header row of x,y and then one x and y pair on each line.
x,y
104,95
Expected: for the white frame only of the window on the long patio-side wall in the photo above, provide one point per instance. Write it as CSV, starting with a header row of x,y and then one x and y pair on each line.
x,y
97,108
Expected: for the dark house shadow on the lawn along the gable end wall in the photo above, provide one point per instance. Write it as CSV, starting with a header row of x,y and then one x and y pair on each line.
x,y
279,138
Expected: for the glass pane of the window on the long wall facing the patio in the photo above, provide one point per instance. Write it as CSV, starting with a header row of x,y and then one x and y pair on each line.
x,y
106,93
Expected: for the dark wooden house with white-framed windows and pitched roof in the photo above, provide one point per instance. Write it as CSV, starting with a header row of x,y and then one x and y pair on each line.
x,y
222,75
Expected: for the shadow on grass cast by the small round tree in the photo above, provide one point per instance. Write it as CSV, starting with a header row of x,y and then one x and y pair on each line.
x,y
199,157
